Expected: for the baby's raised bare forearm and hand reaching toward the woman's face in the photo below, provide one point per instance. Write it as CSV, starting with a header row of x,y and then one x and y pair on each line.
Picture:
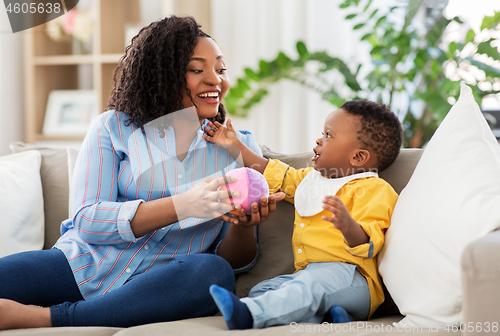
x,y
227,138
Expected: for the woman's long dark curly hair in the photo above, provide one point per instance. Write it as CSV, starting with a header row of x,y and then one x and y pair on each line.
x,y
150,78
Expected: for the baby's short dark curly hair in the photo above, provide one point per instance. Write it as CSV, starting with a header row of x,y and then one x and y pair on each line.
x,y
380,130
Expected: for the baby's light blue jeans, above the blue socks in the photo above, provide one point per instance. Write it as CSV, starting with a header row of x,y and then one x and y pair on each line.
x,y
309,294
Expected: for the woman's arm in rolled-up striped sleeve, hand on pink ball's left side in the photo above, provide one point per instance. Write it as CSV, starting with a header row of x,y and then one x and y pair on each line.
x,y
100,218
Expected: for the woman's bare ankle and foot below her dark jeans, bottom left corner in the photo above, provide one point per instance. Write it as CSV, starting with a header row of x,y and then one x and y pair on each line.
x,y
14,315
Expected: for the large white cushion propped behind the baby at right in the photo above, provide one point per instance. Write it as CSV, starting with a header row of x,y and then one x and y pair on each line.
x,y
452,199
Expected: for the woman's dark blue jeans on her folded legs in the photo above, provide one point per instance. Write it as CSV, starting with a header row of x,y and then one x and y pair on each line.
x,y
175,291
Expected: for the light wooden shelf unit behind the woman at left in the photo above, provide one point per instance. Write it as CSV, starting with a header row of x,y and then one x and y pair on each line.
x,y
50,65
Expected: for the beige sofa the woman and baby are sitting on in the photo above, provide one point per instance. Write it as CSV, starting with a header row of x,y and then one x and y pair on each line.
x,y
480,266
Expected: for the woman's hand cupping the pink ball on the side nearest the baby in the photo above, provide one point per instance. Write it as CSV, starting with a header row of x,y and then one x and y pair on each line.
x,y
258,214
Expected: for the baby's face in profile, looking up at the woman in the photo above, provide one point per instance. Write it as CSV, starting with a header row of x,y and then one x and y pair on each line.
x,y
338,144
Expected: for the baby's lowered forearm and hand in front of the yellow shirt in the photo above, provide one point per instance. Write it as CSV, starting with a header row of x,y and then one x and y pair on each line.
x,y
343,221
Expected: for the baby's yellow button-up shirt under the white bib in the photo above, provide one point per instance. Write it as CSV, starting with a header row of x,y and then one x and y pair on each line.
x,y
370,201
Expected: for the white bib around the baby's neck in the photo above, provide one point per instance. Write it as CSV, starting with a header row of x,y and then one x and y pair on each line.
x,y
314,187
